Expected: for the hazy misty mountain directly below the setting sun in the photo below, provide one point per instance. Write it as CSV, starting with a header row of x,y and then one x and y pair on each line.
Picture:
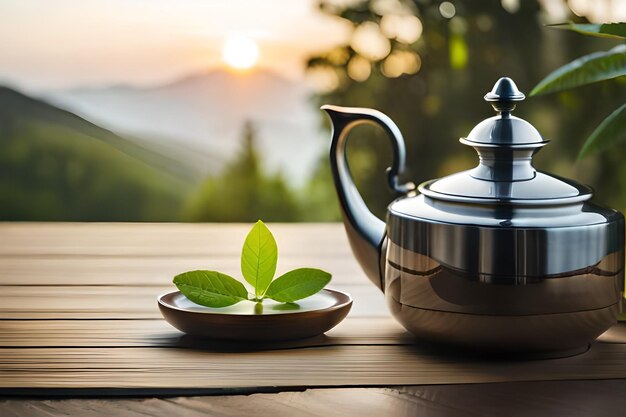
x,y
206,112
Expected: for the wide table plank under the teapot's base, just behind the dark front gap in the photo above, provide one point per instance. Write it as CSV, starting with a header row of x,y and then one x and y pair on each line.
x,y
329,366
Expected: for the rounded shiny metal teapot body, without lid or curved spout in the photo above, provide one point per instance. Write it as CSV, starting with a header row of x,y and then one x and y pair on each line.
x,y
520,280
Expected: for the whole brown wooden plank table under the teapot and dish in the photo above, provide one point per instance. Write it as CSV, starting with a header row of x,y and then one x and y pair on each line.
x,y
80,333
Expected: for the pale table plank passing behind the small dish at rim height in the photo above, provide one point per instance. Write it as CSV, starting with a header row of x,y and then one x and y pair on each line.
x,y
130,302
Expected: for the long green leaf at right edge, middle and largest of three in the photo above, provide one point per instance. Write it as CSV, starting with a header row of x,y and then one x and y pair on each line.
x,y
598,66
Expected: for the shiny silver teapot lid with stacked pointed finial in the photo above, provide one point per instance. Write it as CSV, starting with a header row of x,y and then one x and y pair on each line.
x,y
505,145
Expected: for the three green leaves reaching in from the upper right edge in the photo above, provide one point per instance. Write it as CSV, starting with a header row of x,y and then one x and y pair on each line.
x,y
599,66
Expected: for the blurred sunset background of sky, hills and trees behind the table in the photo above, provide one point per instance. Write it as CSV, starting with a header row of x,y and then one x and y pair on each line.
x,y
209,111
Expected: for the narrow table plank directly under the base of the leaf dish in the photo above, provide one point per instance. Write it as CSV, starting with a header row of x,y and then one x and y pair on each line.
x,y
146,333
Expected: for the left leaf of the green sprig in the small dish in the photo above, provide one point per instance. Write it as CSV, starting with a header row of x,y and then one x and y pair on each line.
x,y
210,288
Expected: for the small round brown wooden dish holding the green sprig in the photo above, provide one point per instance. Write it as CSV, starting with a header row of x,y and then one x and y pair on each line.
x,y
245,321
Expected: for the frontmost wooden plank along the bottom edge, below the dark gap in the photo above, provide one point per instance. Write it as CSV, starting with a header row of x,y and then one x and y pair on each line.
x,y
538,399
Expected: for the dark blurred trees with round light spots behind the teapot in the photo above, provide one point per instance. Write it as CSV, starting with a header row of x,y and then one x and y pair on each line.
x,y
427,64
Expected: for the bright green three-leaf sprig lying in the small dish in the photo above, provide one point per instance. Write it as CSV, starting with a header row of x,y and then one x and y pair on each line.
x,y
259,257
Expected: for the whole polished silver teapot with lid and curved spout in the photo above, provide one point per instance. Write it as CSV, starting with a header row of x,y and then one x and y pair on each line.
x,y
498,258
